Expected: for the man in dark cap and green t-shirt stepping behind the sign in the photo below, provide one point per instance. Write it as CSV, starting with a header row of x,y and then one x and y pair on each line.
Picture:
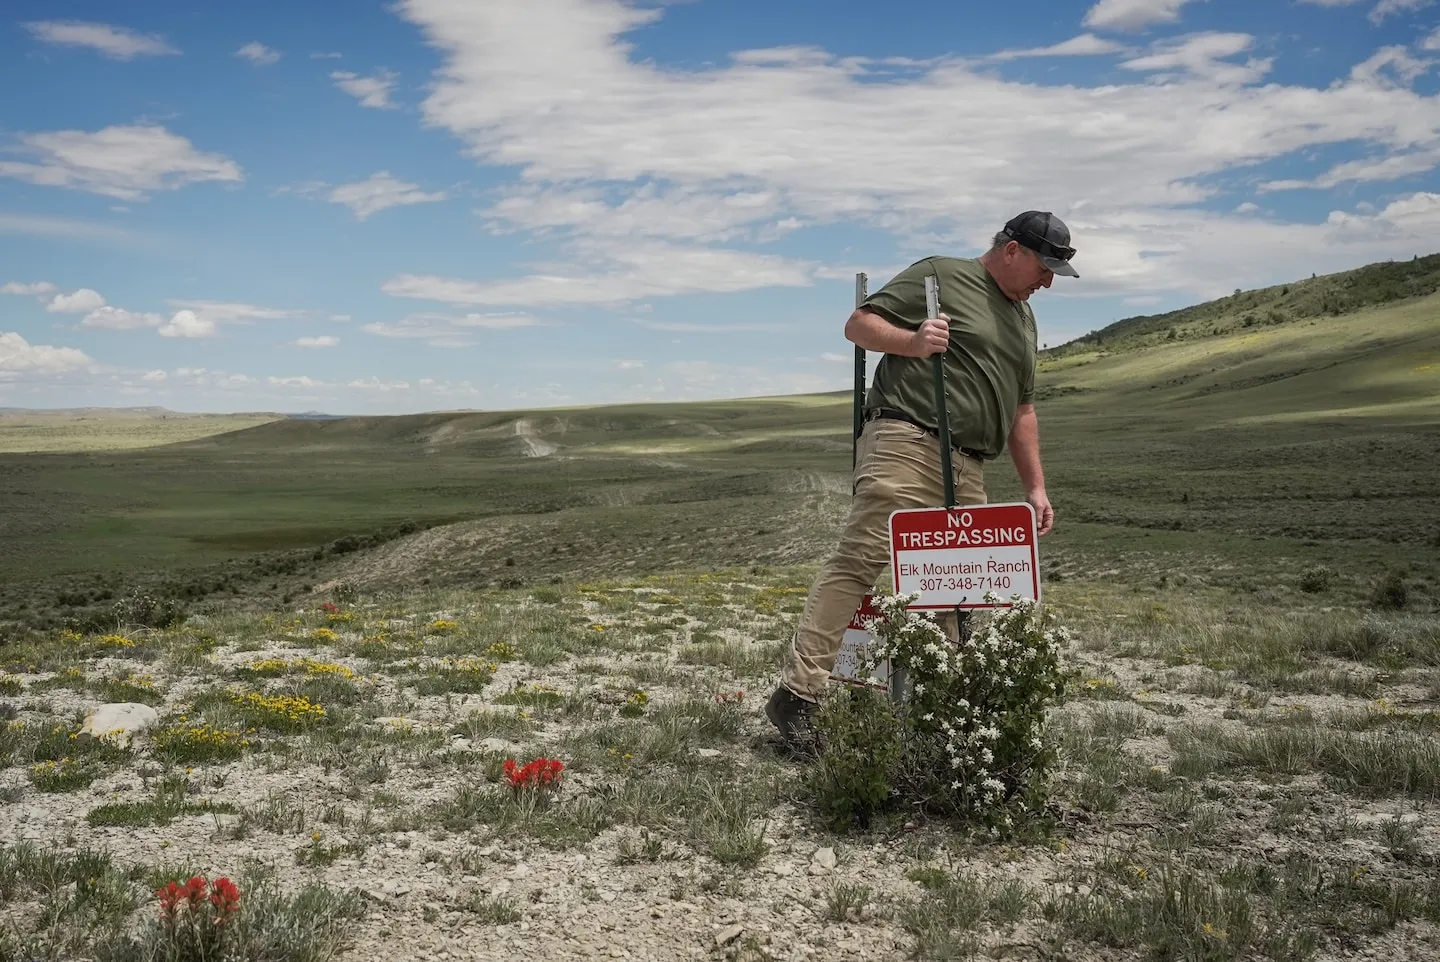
x,y
987,332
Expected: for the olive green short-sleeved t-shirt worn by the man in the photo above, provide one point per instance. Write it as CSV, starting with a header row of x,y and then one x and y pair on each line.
x,y
990,367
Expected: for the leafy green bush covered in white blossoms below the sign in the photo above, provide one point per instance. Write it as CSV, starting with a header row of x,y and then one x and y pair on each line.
x,y
971,729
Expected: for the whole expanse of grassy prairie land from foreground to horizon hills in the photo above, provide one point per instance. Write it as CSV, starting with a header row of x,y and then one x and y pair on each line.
x,y
355,624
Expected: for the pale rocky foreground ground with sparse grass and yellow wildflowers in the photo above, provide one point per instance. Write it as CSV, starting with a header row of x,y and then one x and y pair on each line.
x,y
1235,784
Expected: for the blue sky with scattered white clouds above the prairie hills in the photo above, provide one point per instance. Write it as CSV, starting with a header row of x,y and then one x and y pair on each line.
x,y
516,204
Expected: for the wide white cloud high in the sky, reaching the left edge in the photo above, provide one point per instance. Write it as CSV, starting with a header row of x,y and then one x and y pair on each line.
x,y
117,162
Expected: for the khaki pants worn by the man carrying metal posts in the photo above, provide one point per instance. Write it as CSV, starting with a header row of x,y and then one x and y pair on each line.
x,y
898,466
